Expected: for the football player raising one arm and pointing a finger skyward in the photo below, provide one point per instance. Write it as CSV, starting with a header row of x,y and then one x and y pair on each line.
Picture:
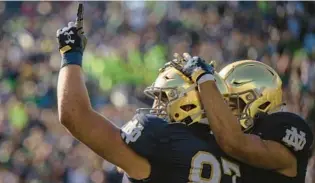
x,y
148,148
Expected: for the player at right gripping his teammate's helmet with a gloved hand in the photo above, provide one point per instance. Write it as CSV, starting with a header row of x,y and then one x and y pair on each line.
x,y
276,143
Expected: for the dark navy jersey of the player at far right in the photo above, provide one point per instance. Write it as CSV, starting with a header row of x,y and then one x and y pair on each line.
x,y
293,133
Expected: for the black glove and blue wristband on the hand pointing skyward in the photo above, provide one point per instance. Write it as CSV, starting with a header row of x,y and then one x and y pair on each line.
x,y
72,41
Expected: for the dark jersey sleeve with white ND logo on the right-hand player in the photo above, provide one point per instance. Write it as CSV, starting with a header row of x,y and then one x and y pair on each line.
x,y
292,132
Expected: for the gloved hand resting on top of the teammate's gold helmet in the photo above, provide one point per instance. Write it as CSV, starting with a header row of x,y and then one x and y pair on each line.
x,y
195,67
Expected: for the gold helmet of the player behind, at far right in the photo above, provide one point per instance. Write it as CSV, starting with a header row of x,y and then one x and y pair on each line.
x,y
254,88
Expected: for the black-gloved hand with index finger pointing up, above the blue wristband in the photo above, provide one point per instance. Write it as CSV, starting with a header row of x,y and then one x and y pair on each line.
x,y
72,38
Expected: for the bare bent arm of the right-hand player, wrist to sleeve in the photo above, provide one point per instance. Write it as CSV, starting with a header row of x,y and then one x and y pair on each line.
x,y
247,148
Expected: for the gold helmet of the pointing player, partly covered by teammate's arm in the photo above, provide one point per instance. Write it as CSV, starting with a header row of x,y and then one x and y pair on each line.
x,y
176,97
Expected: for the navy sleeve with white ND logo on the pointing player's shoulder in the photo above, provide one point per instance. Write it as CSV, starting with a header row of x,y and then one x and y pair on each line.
x,y
142,134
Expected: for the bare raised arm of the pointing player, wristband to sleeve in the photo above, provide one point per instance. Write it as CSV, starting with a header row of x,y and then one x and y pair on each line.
x,y
92,129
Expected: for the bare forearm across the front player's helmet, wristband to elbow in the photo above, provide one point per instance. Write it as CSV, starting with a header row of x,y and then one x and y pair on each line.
x,y
222,122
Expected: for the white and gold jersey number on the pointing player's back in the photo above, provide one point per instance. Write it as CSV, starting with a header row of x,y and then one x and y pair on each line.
x,y
205,158
